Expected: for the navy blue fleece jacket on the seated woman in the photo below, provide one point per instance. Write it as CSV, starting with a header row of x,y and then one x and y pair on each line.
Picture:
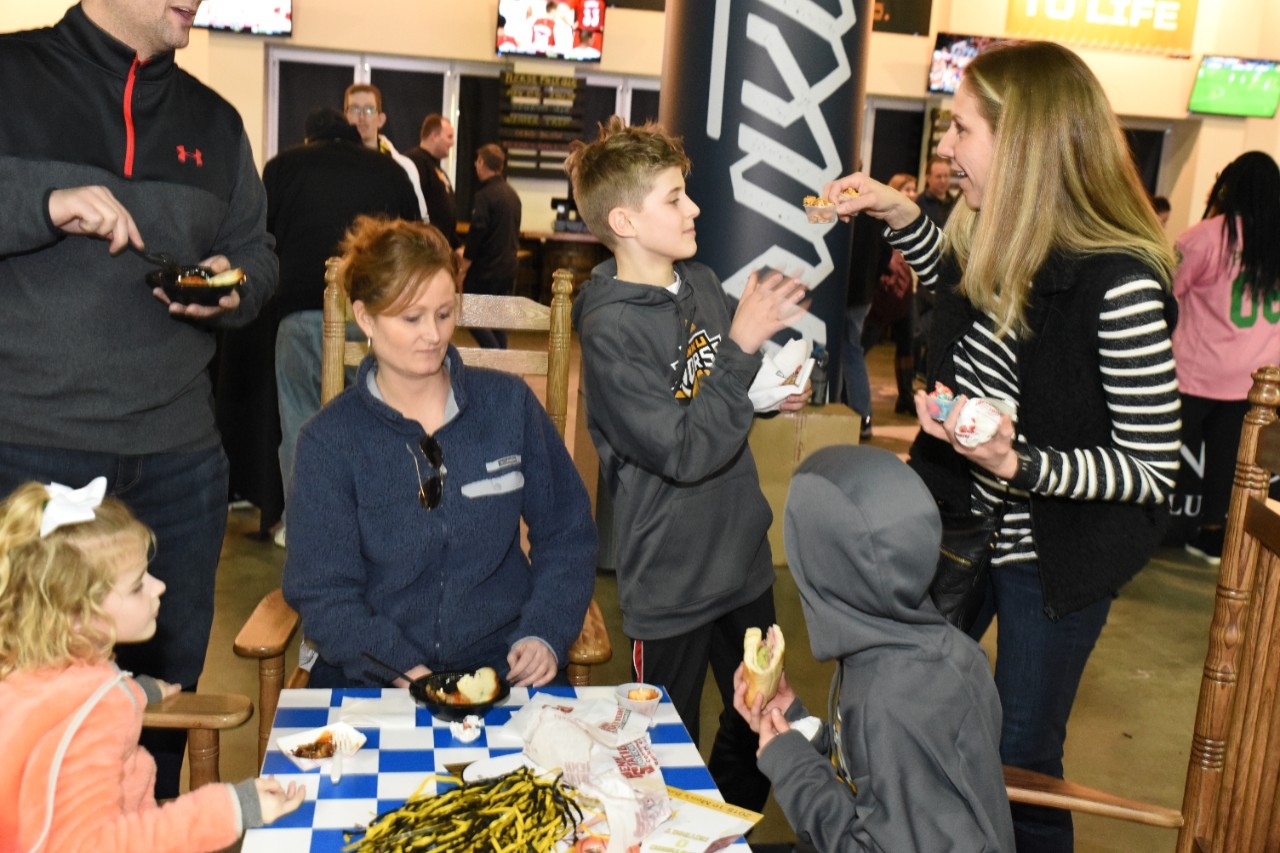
x,y
371,571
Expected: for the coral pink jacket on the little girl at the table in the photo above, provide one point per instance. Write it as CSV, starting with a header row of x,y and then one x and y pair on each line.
x,y
102,786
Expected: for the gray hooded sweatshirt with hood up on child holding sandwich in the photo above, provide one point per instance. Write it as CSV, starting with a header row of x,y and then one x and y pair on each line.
x,y
916,718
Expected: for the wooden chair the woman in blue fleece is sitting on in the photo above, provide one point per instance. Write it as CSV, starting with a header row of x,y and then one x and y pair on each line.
x,y
269,631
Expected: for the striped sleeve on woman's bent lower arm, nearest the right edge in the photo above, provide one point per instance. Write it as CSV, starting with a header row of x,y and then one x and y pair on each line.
x,y
1136,358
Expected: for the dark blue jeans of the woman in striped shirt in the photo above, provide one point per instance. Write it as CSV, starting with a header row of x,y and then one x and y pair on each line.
x,y
1039,668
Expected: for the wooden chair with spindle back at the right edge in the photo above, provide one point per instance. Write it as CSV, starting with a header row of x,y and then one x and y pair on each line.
x,y
1232,796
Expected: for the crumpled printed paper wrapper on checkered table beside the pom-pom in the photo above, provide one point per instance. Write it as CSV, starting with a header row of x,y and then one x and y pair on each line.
x,y
605,751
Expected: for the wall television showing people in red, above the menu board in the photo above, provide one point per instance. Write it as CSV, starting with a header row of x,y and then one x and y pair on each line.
x,y
572,30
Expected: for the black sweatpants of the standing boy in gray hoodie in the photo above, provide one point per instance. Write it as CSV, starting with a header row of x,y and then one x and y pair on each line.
x,y
680,663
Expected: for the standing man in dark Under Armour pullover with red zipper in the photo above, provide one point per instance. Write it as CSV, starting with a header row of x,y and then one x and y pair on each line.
x,y
107,145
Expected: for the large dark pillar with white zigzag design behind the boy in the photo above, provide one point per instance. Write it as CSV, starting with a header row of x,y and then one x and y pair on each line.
x,y
769,98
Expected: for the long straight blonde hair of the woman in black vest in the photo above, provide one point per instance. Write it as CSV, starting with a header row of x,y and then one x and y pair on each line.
x,y
1062,180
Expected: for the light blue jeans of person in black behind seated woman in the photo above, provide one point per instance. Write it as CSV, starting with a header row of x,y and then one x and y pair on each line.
x,y
298,380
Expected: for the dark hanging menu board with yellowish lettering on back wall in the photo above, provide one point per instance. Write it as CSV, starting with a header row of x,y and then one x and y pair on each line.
x,y
540,117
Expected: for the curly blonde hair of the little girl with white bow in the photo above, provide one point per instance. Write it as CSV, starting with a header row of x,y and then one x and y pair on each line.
x,y
53,587
